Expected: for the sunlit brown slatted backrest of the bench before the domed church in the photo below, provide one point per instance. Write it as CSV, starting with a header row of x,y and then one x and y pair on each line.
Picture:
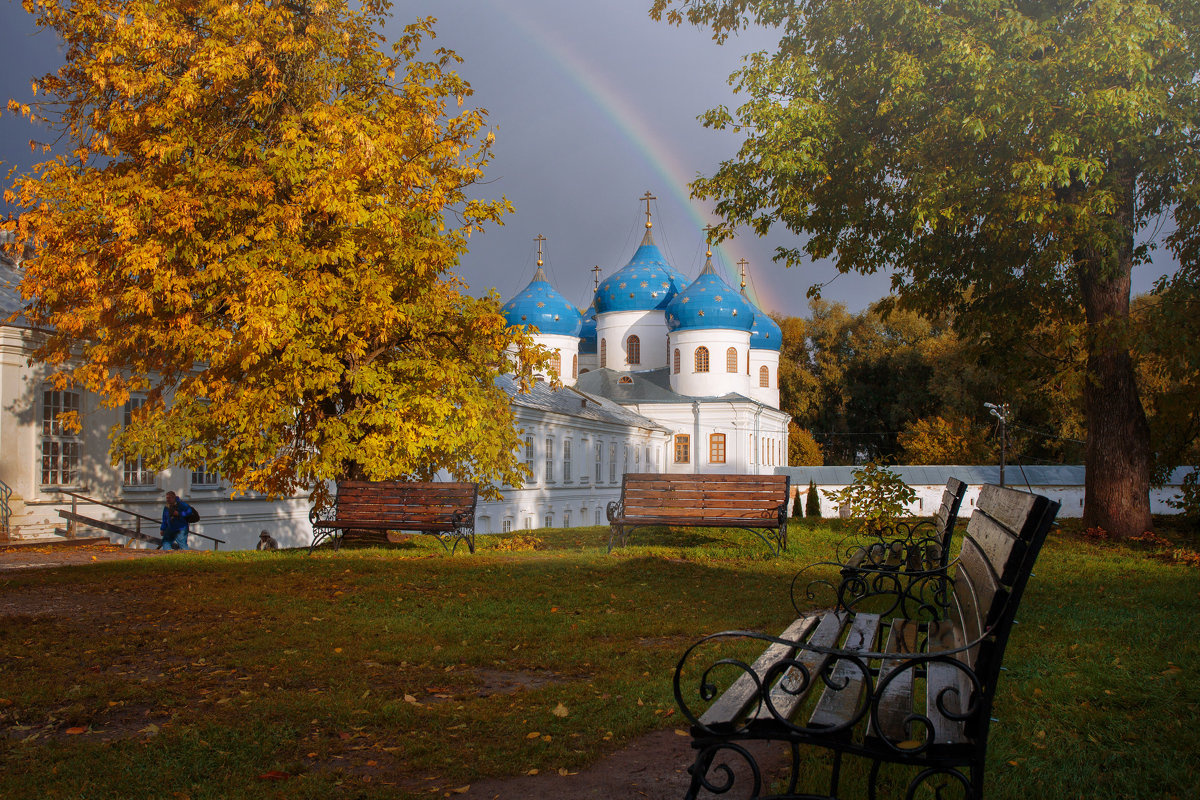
x,y
711,497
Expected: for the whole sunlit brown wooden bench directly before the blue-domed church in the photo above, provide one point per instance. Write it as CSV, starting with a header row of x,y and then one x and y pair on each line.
x,y
754,503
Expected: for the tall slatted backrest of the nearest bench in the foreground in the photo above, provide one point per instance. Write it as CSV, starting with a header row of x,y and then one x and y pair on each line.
x,y
999,550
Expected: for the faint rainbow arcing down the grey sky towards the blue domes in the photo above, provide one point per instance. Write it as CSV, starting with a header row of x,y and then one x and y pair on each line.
x,y
627,121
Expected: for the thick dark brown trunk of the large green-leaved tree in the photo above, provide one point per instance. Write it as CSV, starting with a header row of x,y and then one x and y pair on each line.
x,y
1117,490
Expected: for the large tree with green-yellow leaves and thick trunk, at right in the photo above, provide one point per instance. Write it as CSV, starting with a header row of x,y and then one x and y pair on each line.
x,y
1001,158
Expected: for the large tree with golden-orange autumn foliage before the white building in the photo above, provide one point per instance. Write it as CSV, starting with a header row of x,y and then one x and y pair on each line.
x,y
255,227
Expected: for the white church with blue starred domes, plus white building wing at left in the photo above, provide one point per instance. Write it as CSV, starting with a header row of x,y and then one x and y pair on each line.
x,y
661,374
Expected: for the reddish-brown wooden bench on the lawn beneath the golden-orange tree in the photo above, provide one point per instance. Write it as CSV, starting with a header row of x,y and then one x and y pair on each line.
x,y
445,510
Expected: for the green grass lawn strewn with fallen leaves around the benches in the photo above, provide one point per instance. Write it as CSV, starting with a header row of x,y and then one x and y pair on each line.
x,y
405,672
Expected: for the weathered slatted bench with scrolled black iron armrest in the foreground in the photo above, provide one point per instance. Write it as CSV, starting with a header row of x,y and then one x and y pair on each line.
x,y
872,689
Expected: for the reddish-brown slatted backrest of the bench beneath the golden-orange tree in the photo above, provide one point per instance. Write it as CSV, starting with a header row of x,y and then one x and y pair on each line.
x,y
428,506
